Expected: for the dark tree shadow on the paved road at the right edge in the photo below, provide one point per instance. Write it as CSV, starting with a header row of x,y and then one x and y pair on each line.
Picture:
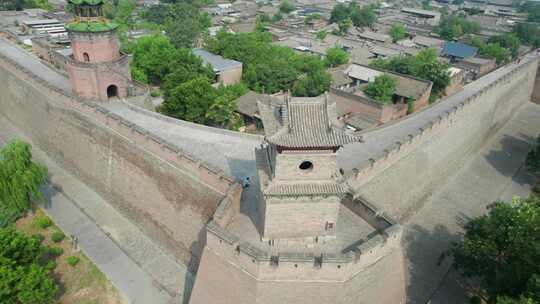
x,y
505,162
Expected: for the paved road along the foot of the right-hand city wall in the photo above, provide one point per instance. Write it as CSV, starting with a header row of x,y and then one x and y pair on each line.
x,y
494,173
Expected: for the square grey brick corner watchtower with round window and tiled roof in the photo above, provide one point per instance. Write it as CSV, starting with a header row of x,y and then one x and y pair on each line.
x,y
300,189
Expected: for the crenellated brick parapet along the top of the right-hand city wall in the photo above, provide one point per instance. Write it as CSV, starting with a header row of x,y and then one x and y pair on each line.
x,y
387,157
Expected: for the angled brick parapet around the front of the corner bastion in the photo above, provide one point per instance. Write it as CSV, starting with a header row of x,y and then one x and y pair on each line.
x,y
301,266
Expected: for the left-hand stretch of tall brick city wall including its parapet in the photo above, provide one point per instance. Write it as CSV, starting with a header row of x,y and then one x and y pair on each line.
x,y
168,193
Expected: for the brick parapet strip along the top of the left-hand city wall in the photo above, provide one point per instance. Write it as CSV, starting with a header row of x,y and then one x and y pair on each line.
x,y
211,176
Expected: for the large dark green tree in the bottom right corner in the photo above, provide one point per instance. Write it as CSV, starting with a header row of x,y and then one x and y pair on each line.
x,y
501,249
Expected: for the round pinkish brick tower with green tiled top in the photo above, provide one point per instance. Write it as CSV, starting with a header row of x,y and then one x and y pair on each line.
x,y
97,69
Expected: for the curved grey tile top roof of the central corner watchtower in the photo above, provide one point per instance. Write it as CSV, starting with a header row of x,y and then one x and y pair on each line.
x,y
307,125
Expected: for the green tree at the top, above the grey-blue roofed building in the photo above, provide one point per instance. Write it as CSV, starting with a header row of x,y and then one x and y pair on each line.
x,y
185,23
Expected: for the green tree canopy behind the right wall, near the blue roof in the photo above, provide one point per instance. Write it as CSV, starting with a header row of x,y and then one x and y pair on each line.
x,y
424,65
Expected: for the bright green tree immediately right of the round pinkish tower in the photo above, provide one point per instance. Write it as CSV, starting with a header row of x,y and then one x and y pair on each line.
x,y
152,56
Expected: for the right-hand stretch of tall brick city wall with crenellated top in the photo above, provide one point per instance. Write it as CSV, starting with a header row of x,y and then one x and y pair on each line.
x,y
403,175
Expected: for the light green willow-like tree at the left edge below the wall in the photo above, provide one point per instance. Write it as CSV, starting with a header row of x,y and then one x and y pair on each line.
x,y
20,179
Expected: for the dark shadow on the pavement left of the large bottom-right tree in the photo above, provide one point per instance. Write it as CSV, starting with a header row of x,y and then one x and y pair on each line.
x,y
428,271
